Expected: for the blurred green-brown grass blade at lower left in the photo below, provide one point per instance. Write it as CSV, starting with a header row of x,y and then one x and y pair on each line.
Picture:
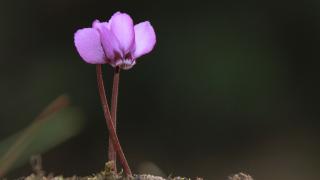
x,y
52,127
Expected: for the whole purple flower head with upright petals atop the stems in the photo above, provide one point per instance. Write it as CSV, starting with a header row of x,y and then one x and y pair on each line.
x,y
117,42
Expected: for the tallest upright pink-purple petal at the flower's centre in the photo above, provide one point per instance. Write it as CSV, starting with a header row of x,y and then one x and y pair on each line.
x,y
121,25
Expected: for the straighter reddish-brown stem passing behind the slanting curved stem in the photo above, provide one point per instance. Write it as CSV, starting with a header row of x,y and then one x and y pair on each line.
x,y
114,102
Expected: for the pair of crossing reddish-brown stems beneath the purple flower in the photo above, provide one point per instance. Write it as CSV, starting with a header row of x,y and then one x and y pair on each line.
x,y
115,148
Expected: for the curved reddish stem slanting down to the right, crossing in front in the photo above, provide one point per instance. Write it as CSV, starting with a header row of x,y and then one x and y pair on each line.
x,y
110,125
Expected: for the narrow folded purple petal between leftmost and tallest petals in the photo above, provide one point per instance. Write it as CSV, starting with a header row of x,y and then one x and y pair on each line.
x,y
109,41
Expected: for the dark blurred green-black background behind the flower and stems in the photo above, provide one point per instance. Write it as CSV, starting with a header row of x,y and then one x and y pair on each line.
x,y
230,86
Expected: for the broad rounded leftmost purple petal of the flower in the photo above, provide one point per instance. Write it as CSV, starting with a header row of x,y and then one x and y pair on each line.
x,y
88,44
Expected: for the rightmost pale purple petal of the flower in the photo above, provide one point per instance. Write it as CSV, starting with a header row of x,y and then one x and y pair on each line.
x,y
145,39
